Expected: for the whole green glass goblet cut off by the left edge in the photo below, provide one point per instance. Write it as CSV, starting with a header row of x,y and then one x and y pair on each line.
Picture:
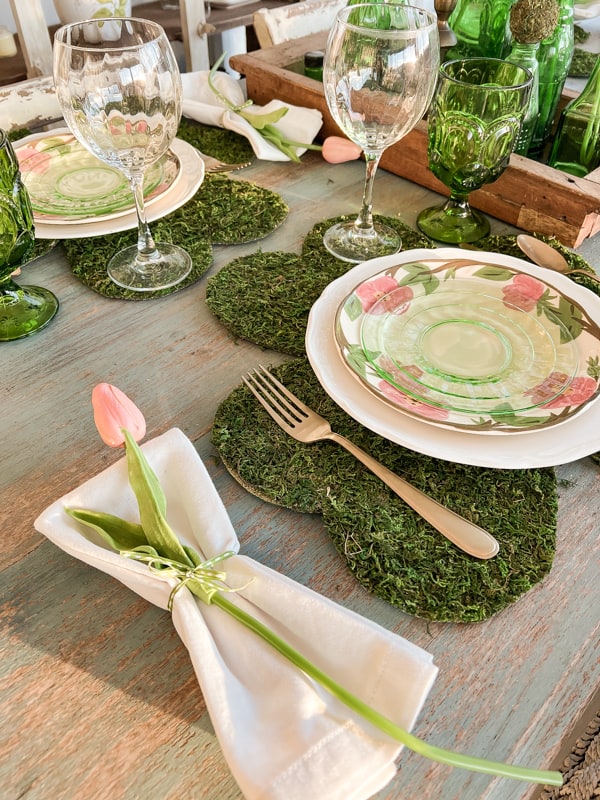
x,y
23,309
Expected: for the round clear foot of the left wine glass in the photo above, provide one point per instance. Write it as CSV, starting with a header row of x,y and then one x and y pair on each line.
x,y
171,267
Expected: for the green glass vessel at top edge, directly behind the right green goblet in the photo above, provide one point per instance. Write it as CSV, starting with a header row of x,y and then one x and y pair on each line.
x,y
481,28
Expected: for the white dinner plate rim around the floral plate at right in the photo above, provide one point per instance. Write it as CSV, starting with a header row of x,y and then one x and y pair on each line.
x,y
575,438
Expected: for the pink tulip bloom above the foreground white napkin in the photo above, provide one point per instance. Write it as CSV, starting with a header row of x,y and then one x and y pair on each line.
x,y
113,411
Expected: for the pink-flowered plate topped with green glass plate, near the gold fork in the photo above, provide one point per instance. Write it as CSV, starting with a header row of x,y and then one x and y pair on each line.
x,y
470,345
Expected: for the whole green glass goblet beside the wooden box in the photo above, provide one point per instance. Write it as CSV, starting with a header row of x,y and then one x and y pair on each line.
x,y
473,124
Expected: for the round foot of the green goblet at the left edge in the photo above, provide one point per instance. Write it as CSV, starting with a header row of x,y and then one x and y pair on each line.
x,y
24,310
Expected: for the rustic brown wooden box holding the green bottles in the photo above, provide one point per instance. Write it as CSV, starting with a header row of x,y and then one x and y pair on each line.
x,y
528,194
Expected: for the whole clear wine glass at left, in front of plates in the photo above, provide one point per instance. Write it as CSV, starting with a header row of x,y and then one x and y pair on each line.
x,y
119,88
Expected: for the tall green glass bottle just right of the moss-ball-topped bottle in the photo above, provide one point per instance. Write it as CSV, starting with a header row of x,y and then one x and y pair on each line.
x,y
554,59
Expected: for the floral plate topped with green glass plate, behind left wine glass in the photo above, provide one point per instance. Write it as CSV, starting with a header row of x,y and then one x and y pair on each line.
x,y
66,182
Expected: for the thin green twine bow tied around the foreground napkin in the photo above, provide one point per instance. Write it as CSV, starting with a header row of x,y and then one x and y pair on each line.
x,y
202,578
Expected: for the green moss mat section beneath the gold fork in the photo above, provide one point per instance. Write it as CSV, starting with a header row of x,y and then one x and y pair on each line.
x,y
389,548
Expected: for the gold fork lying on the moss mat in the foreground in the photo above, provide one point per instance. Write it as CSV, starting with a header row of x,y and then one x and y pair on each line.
x,y
305,425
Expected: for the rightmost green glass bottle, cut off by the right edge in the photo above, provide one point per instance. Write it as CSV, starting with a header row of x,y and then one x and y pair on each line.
x,y
576,146
